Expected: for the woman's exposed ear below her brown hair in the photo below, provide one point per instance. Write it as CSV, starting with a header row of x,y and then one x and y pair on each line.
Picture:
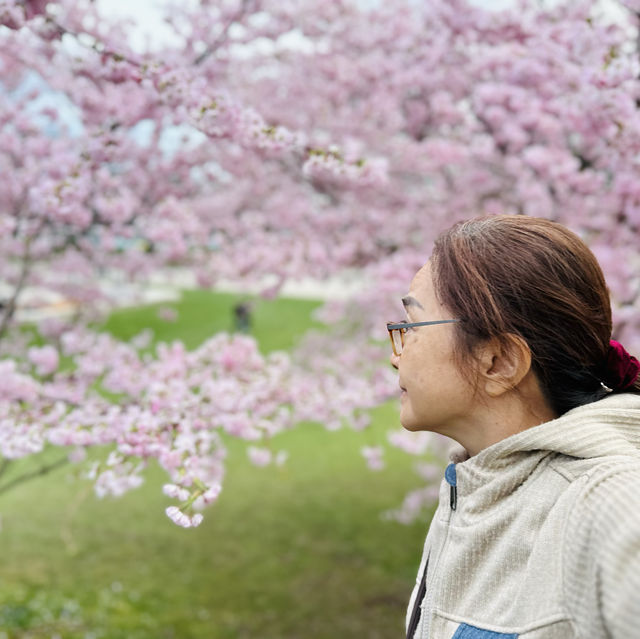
x,y
503,364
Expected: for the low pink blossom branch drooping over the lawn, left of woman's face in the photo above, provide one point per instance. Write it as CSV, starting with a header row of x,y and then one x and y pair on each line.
x,y
172,408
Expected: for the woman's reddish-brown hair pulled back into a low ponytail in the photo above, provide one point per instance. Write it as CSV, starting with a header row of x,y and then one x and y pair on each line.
x,y
513,274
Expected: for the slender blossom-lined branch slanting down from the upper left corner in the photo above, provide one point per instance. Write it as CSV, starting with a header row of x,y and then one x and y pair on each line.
x,y
216,114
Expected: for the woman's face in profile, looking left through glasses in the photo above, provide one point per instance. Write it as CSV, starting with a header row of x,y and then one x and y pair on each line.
x,y
435,396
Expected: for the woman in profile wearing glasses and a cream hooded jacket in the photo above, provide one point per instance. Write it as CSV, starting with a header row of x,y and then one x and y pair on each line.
x,y
508,351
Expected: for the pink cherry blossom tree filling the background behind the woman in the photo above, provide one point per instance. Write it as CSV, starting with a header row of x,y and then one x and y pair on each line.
x,y
283,139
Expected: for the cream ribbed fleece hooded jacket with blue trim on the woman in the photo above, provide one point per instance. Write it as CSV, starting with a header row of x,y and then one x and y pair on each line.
x,y
538,536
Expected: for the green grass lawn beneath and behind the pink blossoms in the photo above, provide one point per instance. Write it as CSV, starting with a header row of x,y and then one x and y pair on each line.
x,y
294,552
